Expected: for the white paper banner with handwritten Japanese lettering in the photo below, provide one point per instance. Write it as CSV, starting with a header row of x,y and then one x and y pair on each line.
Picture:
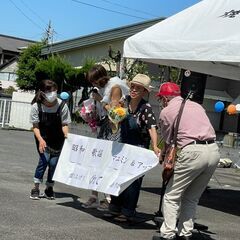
x,y
101,165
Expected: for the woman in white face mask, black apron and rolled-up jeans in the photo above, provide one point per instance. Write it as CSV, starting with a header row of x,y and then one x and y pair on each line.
x,y
50,118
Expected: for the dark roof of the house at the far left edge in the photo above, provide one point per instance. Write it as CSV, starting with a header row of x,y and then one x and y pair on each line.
x,y
12,44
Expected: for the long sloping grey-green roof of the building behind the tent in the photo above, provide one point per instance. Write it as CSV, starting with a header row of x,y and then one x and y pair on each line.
x,y
100,37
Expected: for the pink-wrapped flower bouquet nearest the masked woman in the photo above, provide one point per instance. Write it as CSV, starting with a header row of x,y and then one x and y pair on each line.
x,y
89,114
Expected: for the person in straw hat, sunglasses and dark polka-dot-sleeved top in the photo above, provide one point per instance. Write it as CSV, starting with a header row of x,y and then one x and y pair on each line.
x,y
139,129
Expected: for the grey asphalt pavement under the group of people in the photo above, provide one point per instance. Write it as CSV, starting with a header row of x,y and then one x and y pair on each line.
x,y
64,219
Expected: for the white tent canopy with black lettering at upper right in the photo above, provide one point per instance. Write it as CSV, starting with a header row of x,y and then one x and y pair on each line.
x,y
203,38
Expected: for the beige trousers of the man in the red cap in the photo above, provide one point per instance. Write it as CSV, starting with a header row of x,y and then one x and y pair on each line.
x,y
194,167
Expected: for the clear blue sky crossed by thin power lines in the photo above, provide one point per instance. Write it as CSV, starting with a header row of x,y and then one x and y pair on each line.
x,y
74,18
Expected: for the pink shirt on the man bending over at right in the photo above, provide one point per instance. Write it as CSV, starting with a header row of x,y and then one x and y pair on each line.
x,y
194,123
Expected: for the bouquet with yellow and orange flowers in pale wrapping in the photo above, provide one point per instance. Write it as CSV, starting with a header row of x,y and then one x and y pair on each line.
x,y
116,115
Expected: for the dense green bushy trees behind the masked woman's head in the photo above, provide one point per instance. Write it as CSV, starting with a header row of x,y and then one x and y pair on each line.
x,y
32,68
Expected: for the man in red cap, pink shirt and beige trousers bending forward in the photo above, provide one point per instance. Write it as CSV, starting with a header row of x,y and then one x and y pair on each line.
x,y
198,157
